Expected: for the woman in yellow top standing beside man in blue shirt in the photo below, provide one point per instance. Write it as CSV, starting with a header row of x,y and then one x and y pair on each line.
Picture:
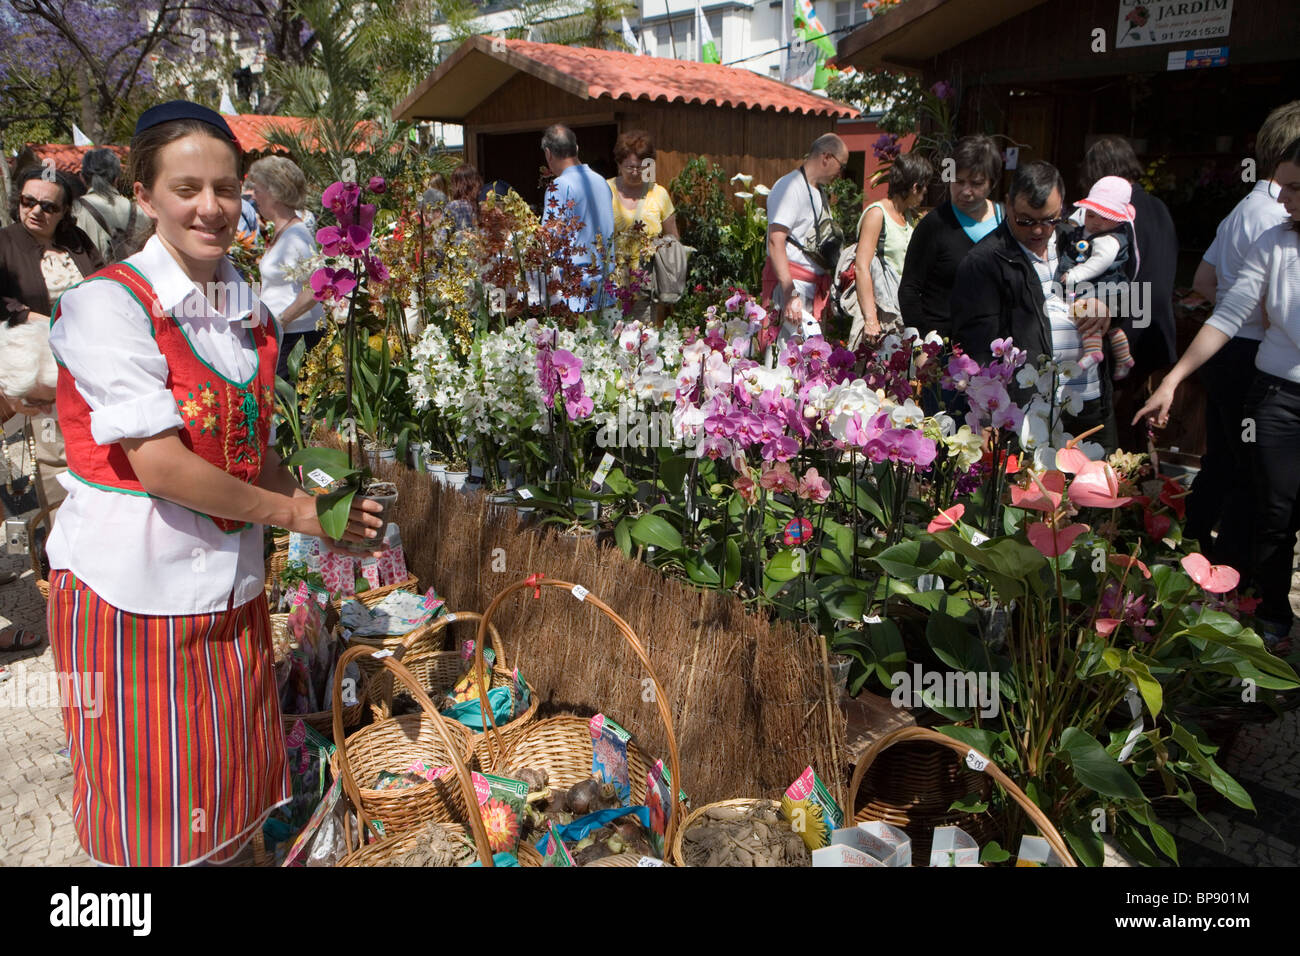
x,y
638,200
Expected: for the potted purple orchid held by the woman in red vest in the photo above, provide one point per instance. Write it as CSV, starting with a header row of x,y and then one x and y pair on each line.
x,y
336,477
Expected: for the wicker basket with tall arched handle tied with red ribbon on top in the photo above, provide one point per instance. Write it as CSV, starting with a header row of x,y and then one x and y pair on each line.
x,y
562,746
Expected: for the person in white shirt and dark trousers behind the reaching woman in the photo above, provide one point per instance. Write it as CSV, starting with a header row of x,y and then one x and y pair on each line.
x,y
1220,498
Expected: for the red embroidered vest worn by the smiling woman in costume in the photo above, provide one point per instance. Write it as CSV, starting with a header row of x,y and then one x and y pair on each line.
x,y
226,423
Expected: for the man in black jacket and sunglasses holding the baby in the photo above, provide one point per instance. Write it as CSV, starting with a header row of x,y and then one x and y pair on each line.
x,y
1007,287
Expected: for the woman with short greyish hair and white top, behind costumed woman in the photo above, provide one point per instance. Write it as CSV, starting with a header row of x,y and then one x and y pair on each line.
x,y
280,189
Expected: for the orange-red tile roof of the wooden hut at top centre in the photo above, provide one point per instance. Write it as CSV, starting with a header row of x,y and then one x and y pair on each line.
x,y
630,77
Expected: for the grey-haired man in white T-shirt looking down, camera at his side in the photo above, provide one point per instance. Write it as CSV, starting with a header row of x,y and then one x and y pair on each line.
x,y
798,274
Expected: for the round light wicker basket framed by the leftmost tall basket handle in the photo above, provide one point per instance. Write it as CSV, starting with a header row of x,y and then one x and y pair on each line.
x,y
392,746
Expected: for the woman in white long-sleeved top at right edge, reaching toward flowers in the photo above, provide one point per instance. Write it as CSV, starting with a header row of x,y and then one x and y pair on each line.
x,y
1269,278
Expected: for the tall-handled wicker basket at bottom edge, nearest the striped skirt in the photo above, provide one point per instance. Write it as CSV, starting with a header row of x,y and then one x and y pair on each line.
x,y
393,846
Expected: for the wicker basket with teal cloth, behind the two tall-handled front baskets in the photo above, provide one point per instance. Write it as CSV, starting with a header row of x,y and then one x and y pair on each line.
x,y
439,671
